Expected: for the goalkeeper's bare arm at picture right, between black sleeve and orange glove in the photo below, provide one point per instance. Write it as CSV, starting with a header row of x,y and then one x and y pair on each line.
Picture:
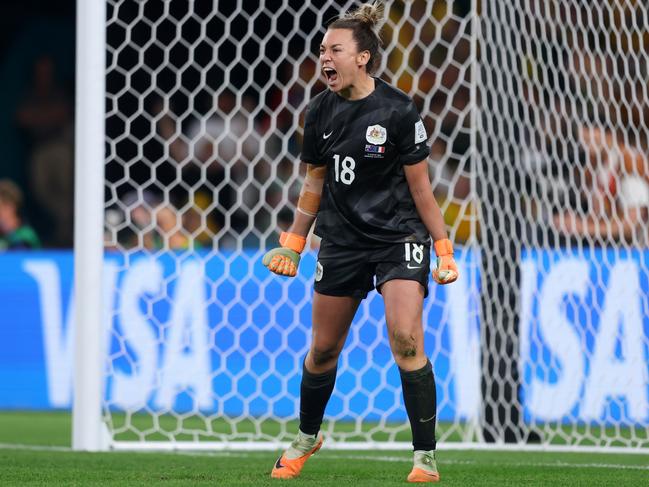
x,y
422,194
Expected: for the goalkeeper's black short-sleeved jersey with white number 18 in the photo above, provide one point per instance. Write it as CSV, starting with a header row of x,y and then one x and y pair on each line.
x,y
365,144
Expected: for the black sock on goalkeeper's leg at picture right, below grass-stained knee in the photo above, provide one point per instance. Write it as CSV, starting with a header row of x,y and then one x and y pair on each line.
x,y
421,405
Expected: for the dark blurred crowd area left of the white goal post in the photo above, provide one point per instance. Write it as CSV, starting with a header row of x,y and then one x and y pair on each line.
x,y
37,44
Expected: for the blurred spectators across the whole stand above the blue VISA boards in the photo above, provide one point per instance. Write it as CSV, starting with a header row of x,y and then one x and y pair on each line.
x,y
203,119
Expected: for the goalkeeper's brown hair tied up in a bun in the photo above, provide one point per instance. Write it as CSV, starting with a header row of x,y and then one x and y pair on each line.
x,y
363,22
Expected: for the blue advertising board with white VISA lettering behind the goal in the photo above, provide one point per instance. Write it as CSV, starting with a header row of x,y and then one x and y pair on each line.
x,y
218,333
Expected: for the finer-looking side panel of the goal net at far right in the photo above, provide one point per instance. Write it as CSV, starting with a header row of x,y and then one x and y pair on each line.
x,y
561,176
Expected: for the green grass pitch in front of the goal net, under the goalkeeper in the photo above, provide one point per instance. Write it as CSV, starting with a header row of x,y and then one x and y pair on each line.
x,y
35,451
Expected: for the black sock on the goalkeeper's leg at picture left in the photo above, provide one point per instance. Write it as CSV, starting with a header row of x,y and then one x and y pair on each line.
x,y
315,391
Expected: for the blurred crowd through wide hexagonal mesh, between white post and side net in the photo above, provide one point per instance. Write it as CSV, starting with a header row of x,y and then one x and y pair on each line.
x,y
220,132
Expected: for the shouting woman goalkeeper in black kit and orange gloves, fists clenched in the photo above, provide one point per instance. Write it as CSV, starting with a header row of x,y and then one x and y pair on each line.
x,y
365,147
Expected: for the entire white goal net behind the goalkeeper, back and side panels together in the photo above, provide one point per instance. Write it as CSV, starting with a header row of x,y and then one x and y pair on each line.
x,y
535,113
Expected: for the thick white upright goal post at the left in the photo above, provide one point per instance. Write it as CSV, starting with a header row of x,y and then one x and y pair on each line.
x,y
87,426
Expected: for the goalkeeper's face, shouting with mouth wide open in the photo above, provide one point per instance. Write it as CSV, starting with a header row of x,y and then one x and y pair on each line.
x,y
340,61
